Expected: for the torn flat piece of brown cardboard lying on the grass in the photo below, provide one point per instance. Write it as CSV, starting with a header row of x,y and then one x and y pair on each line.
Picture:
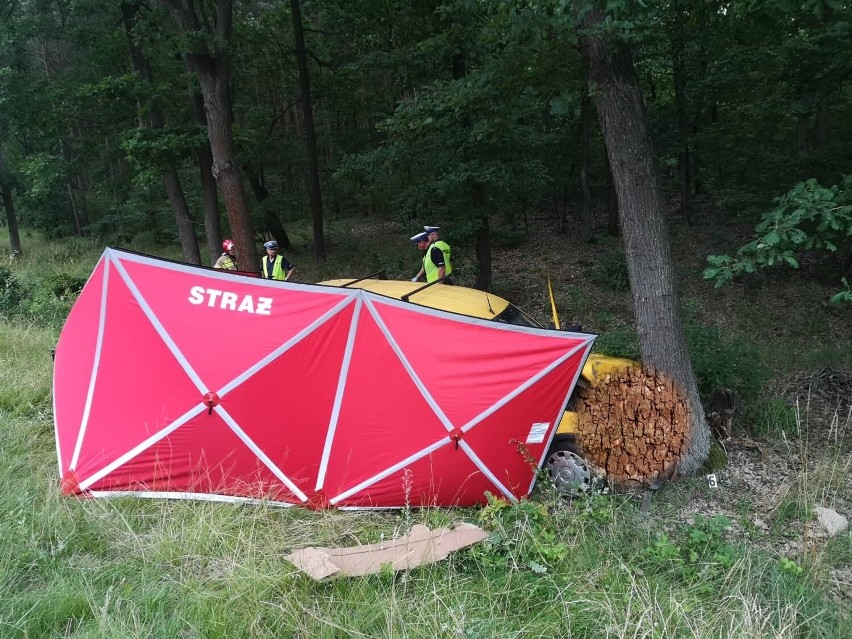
x,y
418,547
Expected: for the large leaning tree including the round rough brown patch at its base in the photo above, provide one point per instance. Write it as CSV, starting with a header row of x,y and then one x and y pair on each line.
x,y
662,340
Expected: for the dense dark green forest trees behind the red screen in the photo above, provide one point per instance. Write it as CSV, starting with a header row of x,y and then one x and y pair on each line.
x,y
120,118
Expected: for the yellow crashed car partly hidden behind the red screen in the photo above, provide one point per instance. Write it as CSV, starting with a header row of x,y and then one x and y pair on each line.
x,y
568,470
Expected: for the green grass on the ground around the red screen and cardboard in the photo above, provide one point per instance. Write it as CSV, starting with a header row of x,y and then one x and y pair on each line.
x,y
593,567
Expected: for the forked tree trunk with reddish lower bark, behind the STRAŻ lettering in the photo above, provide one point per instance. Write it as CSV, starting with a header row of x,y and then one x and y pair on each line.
x,y
214,75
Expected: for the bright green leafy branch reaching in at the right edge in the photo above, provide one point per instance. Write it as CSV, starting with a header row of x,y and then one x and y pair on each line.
x,y
808,218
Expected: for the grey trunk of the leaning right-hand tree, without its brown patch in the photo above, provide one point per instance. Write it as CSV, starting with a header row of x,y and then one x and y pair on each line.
x,y
624,121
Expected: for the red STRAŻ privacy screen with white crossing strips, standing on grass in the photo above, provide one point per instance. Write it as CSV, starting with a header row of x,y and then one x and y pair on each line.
x,y
177,381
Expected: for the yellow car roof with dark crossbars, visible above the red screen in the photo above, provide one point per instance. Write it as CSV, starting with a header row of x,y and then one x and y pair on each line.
x,y
456,299
